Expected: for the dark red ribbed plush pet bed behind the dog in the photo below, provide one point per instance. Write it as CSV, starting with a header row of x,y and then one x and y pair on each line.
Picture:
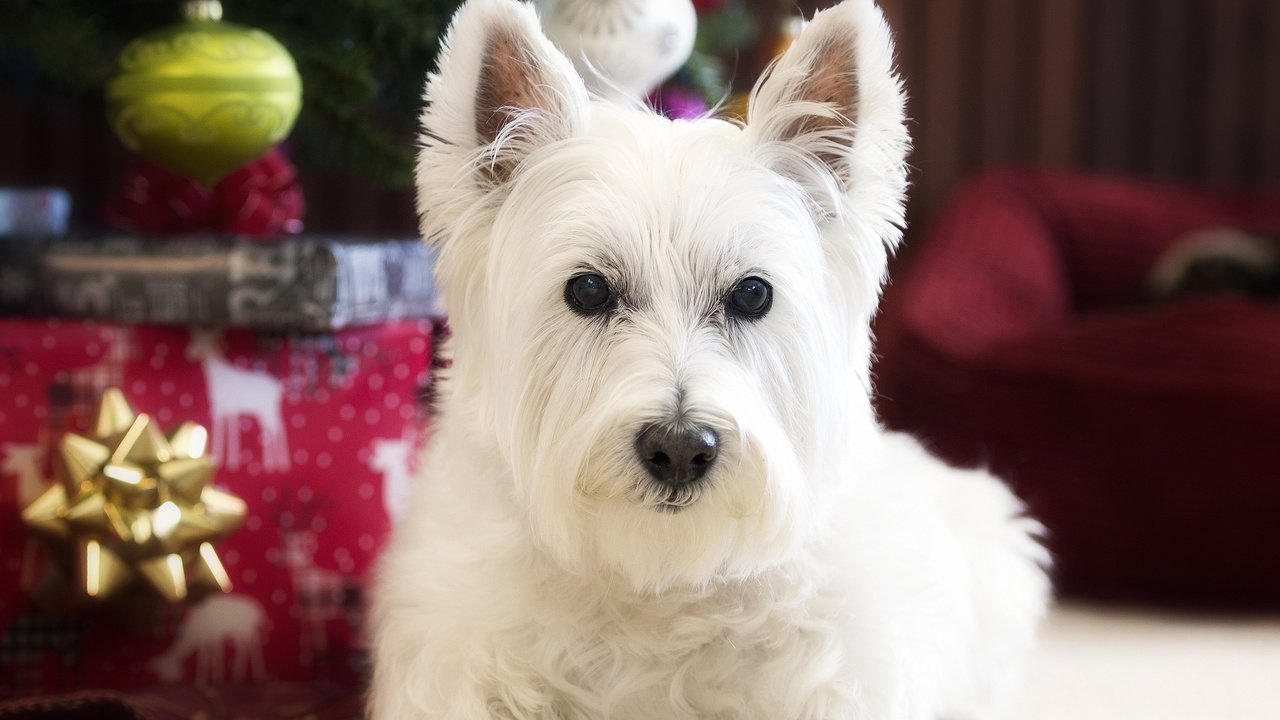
x,y
1148,438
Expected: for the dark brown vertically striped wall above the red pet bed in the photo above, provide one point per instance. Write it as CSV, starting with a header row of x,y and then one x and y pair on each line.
x,y
1172,90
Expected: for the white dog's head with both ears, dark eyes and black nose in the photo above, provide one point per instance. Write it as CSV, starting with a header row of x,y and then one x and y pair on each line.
x,y
664,327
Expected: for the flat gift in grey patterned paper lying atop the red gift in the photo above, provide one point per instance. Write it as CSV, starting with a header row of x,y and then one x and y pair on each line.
x,y
296,284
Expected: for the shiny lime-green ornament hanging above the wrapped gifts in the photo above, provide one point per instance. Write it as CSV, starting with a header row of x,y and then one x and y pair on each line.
x,y
204,98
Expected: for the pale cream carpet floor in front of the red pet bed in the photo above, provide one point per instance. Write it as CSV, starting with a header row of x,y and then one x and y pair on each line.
x,y
1098,664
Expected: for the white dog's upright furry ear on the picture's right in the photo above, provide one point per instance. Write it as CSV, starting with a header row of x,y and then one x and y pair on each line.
x,y
830,113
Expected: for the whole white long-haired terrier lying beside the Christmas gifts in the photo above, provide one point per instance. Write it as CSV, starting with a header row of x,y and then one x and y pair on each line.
x,y
657,489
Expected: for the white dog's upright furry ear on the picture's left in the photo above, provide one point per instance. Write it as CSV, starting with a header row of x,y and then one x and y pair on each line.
x,y
501,92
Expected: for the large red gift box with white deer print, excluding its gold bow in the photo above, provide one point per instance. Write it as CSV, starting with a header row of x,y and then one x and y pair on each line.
x,y
318,434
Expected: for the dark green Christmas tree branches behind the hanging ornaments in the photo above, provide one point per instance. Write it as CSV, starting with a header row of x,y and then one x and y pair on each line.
x,y
363,62
